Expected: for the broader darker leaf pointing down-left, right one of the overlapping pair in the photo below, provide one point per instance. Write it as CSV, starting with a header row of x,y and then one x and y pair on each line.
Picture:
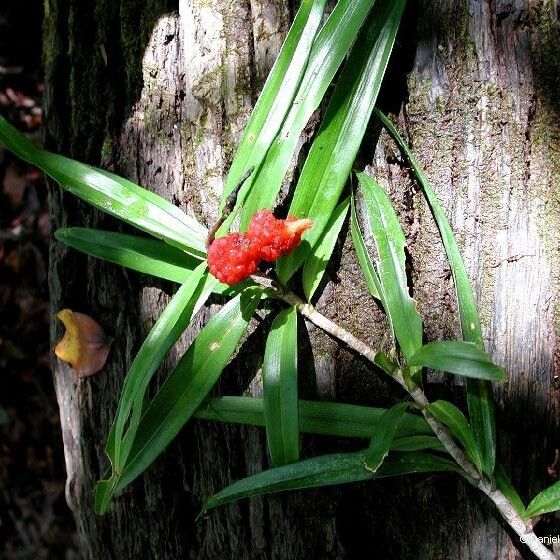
x,y
186,387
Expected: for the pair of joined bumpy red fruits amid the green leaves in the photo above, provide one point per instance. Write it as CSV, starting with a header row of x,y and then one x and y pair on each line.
x,y
236,256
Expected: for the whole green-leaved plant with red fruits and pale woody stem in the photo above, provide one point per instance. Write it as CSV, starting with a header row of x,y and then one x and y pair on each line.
x,y
412,436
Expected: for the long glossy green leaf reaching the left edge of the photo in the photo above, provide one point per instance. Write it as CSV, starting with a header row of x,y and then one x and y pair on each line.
x,y
112,194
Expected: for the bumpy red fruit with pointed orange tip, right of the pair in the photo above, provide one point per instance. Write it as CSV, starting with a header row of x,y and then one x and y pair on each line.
x,y
275,237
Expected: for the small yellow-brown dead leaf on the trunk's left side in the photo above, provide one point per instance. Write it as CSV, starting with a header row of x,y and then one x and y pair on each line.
x,y
85,346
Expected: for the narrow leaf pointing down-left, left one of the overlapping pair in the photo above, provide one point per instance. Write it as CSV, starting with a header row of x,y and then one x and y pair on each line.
x,y
173,320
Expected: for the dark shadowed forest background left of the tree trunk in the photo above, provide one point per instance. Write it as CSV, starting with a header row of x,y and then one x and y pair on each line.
x,y
35,521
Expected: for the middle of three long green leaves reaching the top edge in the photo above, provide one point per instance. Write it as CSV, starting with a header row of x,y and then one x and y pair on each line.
x,y
329,50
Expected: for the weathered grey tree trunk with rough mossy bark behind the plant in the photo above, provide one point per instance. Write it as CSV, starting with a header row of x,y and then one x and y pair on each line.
x,y
162,98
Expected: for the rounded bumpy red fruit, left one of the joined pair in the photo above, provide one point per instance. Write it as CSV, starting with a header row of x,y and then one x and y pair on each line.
x,y
232,258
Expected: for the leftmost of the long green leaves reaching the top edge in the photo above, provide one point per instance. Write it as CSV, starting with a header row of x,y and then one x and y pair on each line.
x,y
277,94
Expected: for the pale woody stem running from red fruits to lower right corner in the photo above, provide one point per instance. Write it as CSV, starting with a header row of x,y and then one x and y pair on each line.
x,y
521,527
